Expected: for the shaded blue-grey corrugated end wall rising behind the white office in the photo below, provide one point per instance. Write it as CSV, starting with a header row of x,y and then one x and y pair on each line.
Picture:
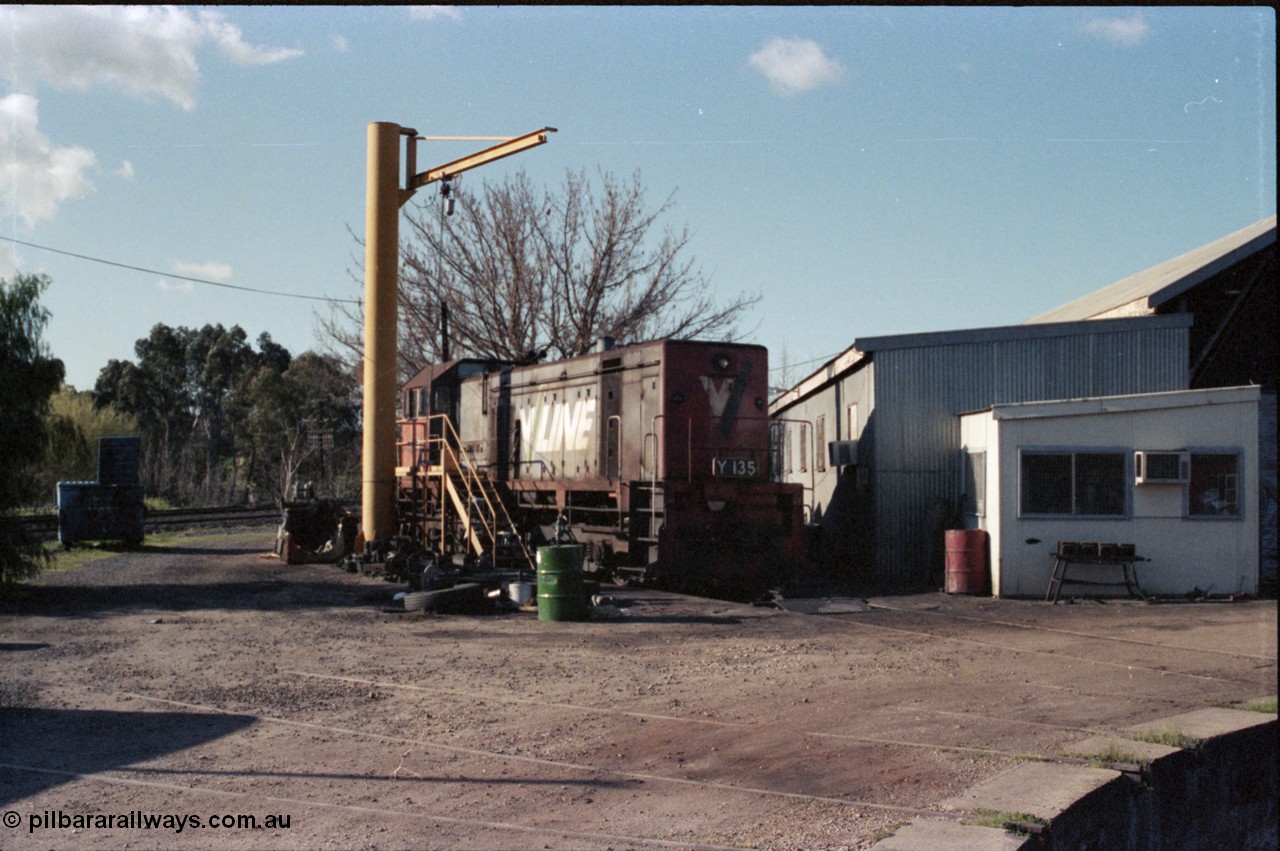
x,y
921,391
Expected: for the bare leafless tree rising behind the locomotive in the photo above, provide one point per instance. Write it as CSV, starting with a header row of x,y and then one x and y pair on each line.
x,y
524,274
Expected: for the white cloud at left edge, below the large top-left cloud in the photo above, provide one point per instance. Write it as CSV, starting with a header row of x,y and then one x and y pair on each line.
x,y
38,177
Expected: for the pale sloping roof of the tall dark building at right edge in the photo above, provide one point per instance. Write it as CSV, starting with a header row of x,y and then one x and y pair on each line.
x,y
1149,290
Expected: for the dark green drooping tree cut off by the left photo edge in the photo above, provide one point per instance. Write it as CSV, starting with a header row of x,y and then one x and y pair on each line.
x,y
29,378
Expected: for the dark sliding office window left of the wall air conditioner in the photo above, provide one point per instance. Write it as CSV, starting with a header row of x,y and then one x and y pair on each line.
x,y
1087,484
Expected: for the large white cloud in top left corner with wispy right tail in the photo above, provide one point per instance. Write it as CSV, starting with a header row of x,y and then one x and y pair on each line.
x,y
143,51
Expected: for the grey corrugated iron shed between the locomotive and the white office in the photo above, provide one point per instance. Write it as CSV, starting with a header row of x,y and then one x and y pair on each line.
x,y
911,388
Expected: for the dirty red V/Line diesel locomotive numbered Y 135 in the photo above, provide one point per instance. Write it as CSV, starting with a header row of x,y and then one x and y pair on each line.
x,y
656,456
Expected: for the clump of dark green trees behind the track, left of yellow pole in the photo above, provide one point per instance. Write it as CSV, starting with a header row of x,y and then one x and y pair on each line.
x,y
218,415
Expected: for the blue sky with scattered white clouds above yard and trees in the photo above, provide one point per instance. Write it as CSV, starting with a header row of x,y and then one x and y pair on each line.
x,y
866,171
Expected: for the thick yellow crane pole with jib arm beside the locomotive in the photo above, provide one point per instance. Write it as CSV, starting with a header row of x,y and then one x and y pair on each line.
x,y
383,200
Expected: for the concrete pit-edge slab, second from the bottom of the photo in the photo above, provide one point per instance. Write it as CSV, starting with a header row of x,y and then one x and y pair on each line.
x,y
1040,789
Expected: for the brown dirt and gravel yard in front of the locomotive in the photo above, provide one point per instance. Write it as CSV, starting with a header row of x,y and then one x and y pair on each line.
x,y
199,680
